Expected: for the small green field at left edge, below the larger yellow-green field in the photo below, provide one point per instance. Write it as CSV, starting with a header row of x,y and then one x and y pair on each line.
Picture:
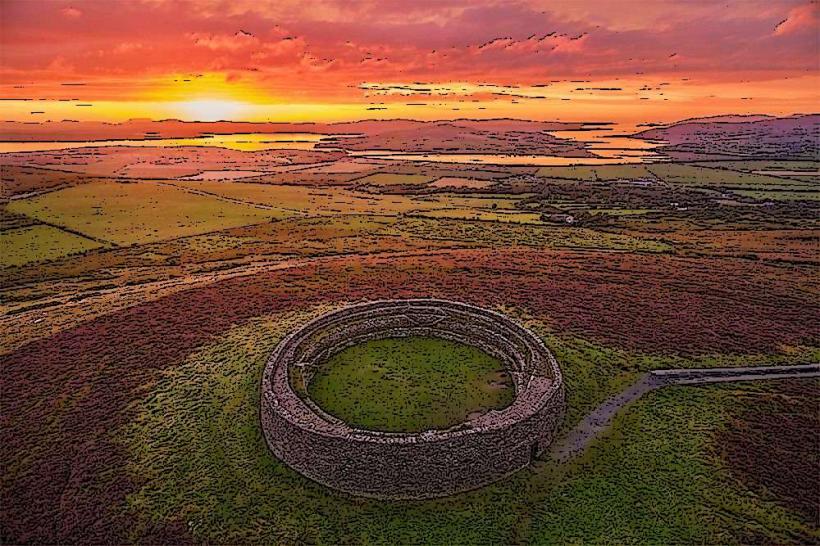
x,y
39,243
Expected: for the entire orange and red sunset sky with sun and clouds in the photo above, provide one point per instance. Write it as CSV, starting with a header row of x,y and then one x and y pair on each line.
x,y
321,60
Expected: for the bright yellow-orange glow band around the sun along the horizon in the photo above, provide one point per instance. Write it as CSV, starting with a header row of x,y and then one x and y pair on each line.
x,y
212,98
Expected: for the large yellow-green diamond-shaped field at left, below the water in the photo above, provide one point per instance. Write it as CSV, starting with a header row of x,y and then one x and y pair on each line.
x,y
138,212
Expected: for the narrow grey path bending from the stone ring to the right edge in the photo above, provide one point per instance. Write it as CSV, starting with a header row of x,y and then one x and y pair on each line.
x,y
585,432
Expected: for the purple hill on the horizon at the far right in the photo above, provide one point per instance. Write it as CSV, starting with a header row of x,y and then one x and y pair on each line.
x,y
794,137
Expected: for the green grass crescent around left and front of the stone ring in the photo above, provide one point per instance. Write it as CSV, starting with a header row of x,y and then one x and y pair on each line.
x,y
198,459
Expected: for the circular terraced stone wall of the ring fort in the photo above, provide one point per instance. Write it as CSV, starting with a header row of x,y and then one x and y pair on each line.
x,y
410,465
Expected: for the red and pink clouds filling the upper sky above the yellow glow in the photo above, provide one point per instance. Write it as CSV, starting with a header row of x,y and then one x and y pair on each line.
x,y
322,48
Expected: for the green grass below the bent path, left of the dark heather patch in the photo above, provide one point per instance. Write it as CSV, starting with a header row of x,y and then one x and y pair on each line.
x,y
657,478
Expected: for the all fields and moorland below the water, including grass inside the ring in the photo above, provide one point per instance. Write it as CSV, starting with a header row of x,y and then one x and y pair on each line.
x,y
138,314
